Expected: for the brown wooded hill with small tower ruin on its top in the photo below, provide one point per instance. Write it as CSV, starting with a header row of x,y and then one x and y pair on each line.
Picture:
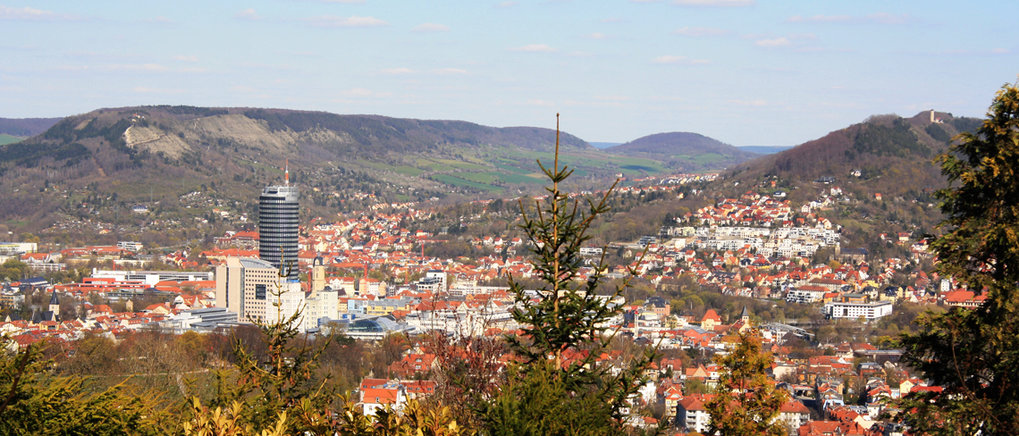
x,y
885,168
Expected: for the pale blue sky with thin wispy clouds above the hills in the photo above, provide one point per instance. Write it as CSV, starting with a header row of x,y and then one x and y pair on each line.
x,y
743,72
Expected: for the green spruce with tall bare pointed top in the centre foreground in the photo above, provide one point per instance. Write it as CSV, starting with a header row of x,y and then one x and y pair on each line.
x,y
557,387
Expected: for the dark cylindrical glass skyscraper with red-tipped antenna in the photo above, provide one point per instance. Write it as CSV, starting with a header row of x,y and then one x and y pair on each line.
x,y
278,227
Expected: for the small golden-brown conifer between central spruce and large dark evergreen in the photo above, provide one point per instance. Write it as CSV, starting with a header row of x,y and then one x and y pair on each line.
x,y
746,402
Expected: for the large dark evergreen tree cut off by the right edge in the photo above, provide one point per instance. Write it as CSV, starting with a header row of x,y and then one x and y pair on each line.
x,y
974,355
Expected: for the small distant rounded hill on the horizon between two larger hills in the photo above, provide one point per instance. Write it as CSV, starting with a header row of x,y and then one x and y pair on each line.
x,y
690,152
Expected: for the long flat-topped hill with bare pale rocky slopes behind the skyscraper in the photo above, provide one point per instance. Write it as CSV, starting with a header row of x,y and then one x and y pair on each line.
x,y
157,168
